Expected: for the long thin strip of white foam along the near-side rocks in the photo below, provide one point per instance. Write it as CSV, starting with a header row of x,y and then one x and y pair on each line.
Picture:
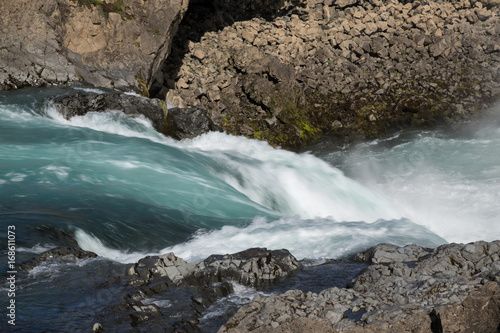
x,y
318,238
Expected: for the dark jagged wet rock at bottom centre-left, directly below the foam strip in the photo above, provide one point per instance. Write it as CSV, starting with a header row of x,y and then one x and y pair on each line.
x,y
209,280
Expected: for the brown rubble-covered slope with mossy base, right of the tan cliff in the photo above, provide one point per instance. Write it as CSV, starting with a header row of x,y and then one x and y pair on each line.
x,y
348,68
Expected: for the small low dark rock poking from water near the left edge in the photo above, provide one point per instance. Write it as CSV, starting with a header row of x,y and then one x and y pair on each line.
x,y
59,254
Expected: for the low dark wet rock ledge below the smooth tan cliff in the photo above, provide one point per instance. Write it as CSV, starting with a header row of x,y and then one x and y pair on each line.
x,y
79,104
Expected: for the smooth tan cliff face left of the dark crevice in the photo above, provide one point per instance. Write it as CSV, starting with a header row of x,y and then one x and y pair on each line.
x,y
119,44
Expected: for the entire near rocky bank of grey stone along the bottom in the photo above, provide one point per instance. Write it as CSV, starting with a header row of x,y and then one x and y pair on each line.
x,y
453,288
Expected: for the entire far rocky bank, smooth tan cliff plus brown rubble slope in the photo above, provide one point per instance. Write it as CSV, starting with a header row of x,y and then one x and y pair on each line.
x,y
288,72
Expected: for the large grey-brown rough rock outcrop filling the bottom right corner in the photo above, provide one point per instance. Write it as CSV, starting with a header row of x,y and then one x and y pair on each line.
x,y
445,290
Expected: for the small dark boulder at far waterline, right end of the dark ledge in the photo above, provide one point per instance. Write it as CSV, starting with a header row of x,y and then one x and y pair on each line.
x,y
188,123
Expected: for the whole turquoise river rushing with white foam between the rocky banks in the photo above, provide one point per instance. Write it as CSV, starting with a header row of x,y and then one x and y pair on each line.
x,y
124,191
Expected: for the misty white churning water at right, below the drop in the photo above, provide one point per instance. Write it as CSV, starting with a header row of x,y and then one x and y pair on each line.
x,y
449,185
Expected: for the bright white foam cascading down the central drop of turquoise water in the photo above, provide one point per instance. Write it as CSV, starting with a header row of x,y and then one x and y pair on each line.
x,y
292,184
